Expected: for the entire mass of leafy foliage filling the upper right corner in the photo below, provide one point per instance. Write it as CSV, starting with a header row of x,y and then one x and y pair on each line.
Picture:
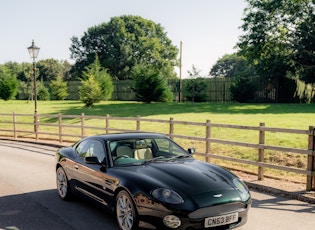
x,y
277,38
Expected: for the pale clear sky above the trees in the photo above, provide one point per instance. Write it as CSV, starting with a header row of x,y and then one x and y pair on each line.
x,y
208,29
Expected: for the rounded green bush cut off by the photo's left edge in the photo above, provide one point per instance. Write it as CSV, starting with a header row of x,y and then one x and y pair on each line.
x,y
8,84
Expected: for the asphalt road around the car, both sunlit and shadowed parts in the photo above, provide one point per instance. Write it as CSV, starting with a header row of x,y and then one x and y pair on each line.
x,y
29,200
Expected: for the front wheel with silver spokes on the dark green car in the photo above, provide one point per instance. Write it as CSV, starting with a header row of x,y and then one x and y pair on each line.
x,y
125,211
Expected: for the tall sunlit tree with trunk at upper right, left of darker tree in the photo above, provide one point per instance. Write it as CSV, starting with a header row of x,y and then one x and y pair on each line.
x,y
267,43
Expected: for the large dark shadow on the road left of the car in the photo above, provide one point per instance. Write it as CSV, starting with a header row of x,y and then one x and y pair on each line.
x,y
44,210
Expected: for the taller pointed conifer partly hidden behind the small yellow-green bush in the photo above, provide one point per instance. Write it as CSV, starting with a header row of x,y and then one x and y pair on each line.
x,y
102,76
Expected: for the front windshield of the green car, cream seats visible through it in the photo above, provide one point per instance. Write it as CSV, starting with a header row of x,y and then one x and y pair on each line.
x,y
145,150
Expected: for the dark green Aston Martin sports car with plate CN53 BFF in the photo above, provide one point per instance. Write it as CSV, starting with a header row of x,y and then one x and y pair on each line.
x,y
150,181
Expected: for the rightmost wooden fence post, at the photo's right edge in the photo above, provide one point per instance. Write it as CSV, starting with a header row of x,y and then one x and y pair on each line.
x,y
310,180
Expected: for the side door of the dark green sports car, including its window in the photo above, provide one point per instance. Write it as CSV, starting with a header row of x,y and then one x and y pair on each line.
x,y
92,178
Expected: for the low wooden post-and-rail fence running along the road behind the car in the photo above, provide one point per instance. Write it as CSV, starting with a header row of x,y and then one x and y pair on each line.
x,y
65,127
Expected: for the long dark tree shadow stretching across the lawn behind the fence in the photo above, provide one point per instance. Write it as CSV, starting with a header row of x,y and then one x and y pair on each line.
x,y
145,109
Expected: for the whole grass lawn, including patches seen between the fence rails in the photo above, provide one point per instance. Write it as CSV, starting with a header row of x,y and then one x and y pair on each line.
x,y
294,116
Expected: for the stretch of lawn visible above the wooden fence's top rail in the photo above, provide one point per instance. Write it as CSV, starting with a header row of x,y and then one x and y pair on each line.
x,y
297,116
